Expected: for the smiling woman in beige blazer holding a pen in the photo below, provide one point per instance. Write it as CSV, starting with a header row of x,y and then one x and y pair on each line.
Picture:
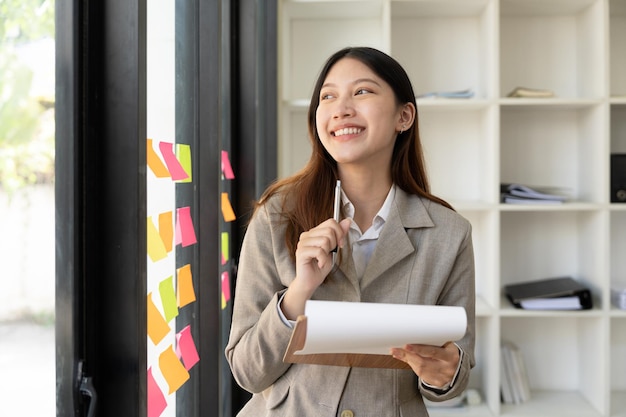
x,y
362,131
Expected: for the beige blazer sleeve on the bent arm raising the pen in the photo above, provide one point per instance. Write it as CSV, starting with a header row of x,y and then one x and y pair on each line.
x,y
258,337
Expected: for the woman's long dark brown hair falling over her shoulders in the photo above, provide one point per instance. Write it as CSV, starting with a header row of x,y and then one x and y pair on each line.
x,y
306,198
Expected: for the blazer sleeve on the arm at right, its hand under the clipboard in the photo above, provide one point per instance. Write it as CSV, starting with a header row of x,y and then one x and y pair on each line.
x,y
460,290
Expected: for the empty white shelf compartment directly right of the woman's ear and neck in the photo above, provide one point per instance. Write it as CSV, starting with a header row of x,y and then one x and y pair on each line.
x,y
458,142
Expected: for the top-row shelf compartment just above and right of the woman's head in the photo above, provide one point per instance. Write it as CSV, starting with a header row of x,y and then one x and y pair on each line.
x,y
446,46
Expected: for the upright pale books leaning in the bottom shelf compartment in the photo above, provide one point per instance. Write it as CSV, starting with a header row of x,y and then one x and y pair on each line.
x,y
513,375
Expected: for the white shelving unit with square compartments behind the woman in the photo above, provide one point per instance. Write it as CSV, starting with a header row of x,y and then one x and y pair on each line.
x,y
577,48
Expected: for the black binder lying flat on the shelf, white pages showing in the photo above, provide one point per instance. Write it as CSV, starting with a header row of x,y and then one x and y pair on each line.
x,y
549,294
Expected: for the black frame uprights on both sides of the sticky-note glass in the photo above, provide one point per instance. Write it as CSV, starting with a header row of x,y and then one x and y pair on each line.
x,y
101,190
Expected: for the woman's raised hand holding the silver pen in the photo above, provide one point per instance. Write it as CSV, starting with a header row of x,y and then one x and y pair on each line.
x,y
314,261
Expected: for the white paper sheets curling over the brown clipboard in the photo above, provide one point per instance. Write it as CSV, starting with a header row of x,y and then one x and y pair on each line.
x,y
374,328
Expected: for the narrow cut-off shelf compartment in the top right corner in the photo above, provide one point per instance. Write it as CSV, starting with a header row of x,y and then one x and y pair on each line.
x,y
617,34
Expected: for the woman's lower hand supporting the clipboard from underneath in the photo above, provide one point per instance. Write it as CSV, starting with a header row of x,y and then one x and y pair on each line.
x,y
434,365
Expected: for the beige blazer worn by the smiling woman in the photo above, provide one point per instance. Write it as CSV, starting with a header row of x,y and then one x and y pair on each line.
x,y
424,256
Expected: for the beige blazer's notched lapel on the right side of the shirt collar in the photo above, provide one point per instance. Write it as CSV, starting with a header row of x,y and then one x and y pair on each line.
x,y
393,245
